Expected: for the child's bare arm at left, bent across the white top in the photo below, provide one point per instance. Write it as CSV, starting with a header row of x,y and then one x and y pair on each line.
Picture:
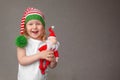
x,y
26,60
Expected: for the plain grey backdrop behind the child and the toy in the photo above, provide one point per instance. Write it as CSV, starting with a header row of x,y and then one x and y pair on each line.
x,y
88,30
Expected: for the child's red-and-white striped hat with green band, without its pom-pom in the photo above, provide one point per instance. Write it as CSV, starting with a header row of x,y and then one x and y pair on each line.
x,y
31,14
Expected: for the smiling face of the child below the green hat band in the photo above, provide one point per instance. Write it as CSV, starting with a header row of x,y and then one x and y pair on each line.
x,y
34,29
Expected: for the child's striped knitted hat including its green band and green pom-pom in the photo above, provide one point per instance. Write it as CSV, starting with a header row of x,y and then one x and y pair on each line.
x,y
29,14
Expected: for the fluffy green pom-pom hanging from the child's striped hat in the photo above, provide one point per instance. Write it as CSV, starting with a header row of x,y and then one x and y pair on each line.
x,y
21,41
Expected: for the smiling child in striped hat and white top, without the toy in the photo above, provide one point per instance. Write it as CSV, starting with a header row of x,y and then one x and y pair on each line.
x,y
32,36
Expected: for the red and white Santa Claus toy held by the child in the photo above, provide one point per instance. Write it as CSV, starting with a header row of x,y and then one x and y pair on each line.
x,y
50,44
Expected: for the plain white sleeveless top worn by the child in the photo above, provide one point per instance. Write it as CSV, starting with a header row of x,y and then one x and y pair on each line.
x,y
32,71
